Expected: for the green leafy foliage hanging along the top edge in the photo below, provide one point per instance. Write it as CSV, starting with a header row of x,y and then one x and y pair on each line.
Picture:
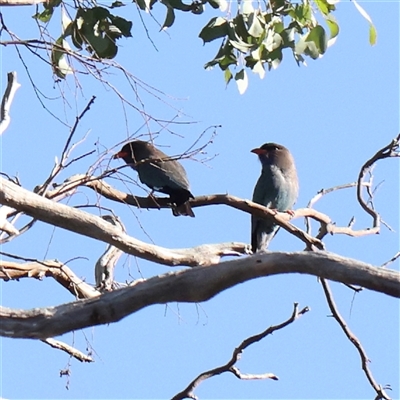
x,y
254,38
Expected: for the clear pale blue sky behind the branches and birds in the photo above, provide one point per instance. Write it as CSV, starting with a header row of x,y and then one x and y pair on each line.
x,y
333,115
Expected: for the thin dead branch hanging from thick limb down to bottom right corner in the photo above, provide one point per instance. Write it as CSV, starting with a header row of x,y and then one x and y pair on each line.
x,y
354,340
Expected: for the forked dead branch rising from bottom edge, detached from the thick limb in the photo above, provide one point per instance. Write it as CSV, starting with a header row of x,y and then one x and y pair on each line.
x,y
237,353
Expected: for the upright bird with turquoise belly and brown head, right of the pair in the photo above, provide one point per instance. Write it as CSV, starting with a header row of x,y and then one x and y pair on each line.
x,y
277,188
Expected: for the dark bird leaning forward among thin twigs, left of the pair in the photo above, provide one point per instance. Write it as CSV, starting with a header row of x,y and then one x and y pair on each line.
x,y
160,173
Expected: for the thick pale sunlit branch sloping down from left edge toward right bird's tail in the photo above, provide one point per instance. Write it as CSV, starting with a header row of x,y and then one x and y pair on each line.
x,y
95,227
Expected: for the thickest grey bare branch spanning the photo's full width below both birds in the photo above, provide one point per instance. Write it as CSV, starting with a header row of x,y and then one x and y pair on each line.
x,y
191,285
